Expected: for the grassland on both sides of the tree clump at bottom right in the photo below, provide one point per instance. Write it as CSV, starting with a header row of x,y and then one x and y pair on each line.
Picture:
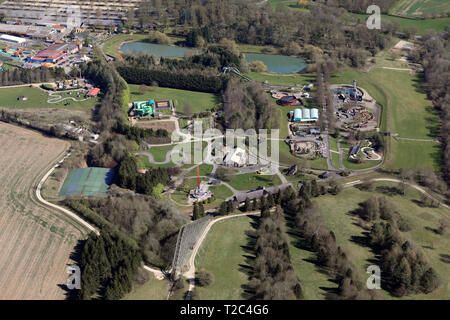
x,y
336,213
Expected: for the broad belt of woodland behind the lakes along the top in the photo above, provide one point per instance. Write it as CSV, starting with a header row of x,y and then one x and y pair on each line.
x,y
245,21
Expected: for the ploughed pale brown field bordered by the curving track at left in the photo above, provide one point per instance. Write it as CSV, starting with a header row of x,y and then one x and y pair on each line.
x,y
35,242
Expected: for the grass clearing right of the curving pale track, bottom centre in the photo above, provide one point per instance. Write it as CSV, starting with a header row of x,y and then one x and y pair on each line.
x,y
224,256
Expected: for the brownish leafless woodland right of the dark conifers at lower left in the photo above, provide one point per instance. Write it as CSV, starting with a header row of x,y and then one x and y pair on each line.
x,y
151,223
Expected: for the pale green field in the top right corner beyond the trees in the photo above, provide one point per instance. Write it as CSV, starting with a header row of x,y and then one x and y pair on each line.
x,y
415,8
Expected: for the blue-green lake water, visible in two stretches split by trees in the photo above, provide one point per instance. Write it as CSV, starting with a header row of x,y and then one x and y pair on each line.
x,y
275,63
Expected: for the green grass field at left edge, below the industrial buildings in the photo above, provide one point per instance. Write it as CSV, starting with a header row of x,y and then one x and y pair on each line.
x,y
37,98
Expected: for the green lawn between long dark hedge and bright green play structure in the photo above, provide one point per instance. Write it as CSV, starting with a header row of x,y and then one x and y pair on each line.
x,y
199,101
